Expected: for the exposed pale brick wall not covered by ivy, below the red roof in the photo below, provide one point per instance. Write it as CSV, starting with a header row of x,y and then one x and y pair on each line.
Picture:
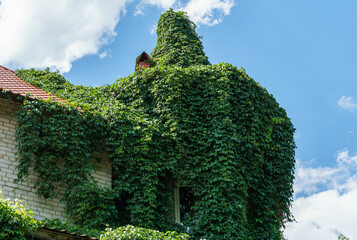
x,y
25,191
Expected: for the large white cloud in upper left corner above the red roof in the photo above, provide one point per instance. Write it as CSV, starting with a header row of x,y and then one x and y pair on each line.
x,y
51,33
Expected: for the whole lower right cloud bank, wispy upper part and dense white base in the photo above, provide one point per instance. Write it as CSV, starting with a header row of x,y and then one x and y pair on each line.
x,y
329,206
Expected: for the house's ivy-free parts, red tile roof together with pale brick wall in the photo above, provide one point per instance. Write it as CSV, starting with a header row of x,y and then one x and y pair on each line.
x,y
13,92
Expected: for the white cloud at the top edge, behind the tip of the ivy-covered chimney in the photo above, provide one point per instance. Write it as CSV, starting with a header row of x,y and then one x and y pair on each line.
x,y
201,12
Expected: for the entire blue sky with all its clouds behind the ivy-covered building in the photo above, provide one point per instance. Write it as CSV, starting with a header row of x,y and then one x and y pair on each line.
x,y
304,53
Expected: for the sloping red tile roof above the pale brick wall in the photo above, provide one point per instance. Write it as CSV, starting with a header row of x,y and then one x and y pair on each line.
x,y
13,84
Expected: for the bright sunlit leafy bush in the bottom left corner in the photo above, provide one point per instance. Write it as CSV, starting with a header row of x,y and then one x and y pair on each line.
x,y
16,222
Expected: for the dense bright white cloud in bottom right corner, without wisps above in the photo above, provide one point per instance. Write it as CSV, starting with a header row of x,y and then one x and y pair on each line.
x,y
324,215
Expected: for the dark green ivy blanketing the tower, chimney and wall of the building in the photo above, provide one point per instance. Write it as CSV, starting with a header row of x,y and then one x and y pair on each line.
x,y
209,127
